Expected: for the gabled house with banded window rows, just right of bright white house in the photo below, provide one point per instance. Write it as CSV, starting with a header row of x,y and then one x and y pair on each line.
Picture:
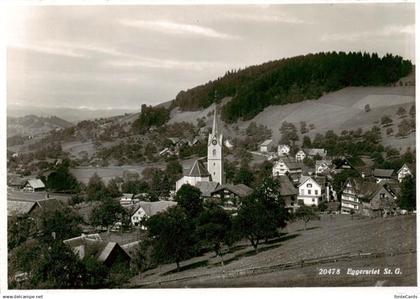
x,y
356,191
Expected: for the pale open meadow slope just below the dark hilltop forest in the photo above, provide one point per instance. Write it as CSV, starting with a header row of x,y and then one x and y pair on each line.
x,y
337,111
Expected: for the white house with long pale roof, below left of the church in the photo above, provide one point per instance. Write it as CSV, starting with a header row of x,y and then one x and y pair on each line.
x,y
146,209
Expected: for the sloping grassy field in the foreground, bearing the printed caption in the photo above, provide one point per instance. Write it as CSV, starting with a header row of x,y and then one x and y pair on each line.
x,y
296,257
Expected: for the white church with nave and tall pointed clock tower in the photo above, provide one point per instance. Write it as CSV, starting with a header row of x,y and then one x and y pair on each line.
x,y
213,173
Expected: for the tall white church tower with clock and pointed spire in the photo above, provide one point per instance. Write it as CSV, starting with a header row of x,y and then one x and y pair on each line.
x,y
215,152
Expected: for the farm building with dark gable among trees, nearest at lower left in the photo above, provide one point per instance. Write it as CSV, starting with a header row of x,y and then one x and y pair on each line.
x,y
109,254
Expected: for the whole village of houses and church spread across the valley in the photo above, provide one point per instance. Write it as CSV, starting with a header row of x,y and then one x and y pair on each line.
x,y
306,177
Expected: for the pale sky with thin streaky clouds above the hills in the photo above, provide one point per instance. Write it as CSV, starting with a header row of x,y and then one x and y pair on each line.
x,y
107,57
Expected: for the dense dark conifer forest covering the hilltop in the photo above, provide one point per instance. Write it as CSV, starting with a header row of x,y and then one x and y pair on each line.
x,y
292,80
